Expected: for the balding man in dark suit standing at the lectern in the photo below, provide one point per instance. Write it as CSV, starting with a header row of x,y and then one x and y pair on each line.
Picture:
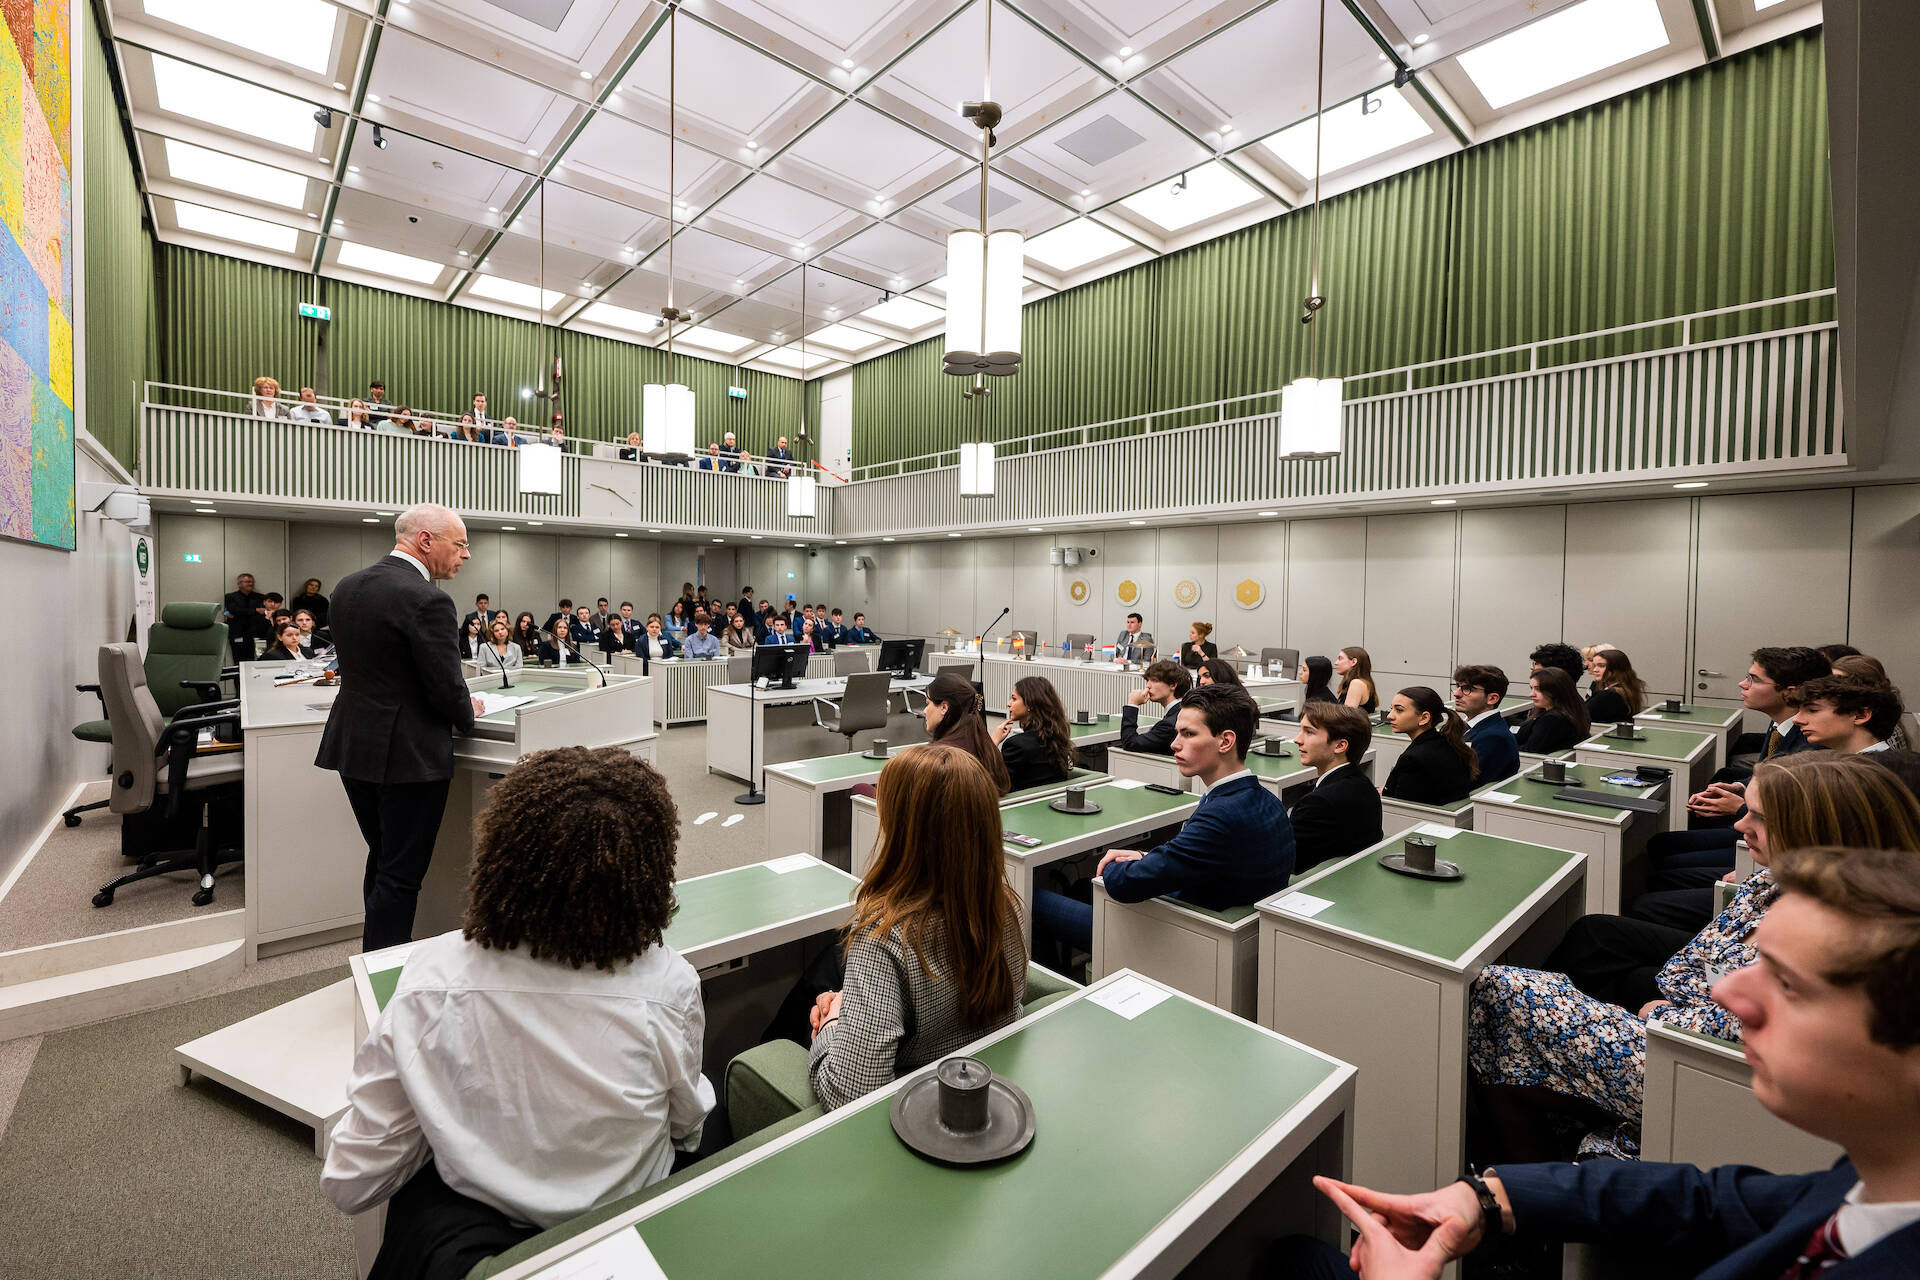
x,y
402,698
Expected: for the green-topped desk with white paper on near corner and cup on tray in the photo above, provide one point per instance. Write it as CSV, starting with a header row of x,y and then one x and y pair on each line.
x,y
1374,968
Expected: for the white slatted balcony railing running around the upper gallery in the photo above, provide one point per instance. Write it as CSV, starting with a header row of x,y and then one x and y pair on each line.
x,y
1704,408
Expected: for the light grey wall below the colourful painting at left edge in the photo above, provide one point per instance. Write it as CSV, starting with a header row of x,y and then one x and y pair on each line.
x,y
66,604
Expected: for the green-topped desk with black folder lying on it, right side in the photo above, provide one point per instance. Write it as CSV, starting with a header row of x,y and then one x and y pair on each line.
x,y
1614,841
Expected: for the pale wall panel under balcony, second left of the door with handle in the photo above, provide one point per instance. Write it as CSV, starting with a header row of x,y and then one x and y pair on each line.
x,y
1512,577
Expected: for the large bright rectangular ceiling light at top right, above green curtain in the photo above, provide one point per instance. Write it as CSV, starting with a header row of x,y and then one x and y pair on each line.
x,y
1564,47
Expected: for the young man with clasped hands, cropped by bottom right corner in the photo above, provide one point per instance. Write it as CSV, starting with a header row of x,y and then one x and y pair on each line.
x,y
1831,1024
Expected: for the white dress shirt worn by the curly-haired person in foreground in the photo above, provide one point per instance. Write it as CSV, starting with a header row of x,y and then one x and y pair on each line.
x,y
535,1087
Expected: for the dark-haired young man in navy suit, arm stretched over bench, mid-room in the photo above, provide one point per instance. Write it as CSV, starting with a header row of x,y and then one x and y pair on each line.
x,y
1234,851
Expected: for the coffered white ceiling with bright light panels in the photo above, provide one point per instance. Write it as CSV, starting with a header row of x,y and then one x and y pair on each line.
x,y
529,166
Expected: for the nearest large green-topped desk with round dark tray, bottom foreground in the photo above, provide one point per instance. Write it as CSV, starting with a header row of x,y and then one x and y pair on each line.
x,y
1203,1179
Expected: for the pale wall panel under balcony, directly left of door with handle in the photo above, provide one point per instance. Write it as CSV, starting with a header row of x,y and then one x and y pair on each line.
x,y
1627,582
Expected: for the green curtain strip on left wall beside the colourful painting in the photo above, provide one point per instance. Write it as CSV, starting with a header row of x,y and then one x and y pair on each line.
x,y
120,258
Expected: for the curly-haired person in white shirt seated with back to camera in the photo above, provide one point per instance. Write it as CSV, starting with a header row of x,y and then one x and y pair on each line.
x,y
546,1058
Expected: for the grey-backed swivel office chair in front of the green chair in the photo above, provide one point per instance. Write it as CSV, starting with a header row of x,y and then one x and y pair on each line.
x,y
158,761
